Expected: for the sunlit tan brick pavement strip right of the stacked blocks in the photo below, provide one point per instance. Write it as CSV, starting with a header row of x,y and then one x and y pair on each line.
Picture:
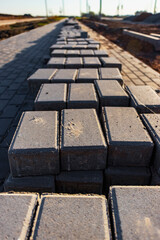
x,y
134,71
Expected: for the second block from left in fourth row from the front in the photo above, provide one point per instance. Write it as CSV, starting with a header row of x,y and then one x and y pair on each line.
x,y
64,76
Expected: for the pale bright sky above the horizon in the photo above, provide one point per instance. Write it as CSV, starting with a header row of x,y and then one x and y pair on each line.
x,y
74,7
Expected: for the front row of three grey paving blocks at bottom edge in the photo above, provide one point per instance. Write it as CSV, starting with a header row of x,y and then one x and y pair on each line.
x,y
130,213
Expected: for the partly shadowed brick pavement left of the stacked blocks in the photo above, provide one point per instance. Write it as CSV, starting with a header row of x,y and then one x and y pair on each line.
x,y
20,56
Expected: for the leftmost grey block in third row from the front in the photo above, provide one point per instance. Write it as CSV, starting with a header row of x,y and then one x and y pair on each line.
x,y
51,97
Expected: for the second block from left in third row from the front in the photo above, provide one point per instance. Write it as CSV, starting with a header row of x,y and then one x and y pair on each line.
x,y
82,95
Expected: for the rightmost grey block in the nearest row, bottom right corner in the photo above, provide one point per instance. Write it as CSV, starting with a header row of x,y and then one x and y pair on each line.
x,y
135,212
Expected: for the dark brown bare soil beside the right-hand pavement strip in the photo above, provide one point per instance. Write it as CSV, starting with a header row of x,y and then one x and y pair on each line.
x,y
140,49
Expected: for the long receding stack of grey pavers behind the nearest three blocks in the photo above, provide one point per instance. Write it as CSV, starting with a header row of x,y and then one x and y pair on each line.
x,y
85,130
